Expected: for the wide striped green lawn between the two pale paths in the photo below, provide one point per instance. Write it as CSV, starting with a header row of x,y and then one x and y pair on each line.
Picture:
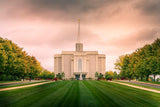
x,y
79,94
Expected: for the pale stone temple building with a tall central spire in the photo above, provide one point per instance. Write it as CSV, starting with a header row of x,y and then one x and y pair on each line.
x,y
79,64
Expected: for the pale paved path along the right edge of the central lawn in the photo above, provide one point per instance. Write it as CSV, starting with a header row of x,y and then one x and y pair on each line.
x,y
142,88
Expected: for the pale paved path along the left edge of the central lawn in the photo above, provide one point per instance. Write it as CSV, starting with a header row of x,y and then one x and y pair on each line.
x,y
4,89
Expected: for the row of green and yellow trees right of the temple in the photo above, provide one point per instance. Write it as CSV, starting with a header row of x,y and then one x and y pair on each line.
x,y
141,63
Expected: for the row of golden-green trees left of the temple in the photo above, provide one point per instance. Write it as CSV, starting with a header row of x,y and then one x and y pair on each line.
x,y
16,64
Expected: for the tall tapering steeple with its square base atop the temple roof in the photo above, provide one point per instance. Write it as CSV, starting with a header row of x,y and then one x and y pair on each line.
x,y
79,45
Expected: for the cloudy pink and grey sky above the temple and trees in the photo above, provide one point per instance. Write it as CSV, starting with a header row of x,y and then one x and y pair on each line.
x,y
46,27
